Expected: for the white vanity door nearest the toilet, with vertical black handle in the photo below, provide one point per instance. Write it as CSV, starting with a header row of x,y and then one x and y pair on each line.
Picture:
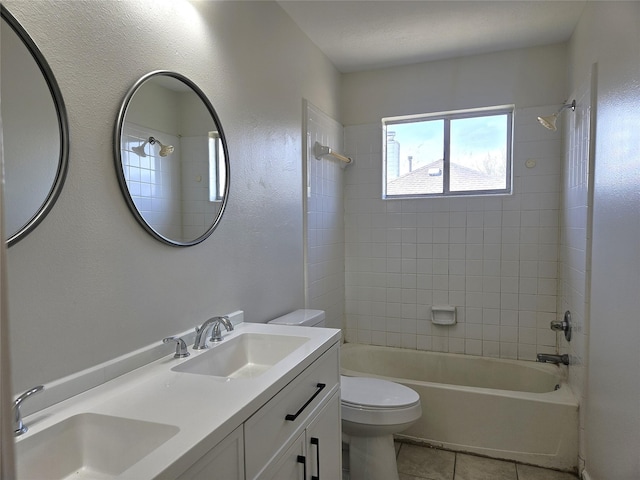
x,y
324,443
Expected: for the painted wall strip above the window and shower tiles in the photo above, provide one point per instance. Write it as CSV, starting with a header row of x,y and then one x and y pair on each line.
x,y
527,77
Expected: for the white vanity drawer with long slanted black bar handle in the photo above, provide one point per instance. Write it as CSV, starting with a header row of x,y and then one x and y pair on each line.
x,y
269,431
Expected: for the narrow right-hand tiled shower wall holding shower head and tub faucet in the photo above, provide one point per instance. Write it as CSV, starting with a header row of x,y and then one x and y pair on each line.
x,y
575,244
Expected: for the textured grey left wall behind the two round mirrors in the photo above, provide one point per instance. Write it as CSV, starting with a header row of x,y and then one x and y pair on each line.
x,y
89,284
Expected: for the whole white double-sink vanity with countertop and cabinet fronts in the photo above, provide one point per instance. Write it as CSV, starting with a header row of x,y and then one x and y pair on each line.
x,y
234,412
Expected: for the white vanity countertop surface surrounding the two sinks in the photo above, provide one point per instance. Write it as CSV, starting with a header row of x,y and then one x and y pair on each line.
x,y
205,408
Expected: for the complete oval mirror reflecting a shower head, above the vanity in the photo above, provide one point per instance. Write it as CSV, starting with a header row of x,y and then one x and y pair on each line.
x,y
171,159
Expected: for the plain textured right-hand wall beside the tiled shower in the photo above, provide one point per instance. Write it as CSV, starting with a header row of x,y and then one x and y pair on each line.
x,y
609,34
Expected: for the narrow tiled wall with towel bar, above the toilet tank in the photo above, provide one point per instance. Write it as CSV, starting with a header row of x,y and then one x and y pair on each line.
x,y
324,207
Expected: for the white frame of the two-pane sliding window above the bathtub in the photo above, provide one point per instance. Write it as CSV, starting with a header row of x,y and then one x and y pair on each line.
x,y
447,117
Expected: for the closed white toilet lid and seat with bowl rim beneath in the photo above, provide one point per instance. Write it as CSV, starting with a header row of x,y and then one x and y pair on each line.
x,y
374,401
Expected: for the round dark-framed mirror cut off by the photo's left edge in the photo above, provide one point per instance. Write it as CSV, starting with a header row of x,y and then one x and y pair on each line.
x,y
35,131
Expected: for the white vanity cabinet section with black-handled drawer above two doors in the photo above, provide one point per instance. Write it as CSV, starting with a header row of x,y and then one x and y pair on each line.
x,y
278,437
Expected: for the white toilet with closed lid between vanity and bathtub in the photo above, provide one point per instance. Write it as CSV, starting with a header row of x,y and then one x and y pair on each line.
x,y
372,411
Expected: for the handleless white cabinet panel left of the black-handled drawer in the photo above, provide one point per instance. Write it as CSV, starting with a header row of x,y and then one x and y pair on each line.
x,y
225,461
